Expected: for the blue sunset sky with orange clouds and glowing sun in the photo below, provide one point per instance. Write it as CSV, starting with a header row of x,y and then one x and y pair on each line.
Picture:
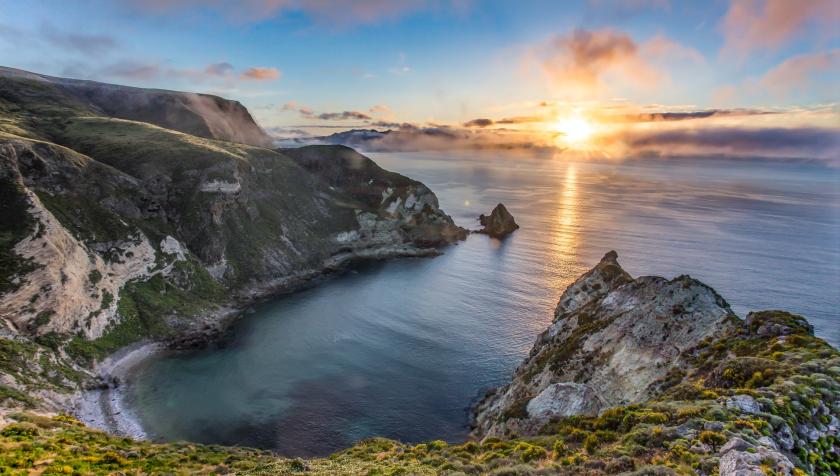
x,y
479,70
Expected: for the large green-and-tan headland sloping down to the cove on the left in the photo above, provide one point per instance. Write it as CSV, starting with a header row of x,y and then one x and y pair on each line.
x,y
116,230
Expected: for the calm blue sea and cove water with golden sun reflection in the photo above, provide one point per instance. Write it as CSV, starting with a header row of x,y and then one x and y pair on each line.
x,y
400,349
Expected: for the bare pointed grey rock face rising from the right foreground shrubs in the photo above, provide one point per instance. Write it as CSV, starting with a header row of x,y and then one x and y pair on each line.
x,y
613,339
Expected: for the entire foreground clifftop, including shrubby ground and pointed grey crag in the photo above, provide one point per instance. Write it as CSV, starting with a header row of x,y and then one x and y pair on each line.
x,y
636,375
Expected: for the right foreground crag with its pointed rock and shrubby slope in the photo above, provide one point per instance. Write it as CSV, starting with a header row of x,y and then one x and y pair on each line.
x,y
660,374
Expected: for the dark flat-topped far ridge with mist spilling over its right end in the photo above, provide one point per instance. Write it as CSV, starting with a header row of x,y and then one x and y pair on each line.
x,y
201,115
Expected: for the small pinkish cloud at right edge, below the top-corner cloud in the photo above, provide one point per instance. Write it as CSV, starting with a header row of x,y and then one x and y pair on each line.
x,y
803,71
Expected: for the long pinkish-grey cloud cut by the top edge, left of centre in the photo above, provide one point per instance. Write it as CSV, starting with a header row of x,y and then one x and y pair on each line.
x,y
341,13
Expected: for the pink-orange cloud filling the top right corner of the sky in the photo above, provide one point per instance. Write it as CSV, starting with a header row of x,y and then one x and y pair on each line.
x,y
751,25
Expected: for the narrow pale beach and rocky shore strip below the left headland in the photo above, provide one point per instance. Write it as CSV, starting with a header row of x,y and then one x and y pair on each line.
x,y
104,407
